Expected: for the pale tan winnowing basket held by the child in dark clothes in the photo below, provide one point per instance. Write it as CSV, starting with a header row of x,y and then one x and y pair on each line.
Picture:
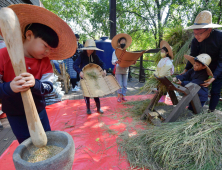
x,y
100,86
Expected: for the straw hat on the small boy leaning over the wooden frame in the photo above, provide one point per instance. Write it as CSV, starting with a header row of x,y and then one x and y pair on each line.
x,y
205,59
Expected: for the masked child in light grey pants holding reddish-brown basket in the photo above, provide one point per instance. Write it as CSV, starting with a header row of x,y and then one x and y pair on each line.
x,y
122,41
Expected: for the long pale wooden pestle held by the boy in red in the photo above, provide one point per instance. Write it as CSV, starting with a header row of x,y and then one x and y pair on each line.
x,y
11,32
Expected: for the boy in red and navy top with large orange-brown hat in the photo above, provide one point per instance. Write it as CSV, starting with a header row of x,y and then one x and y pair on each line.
x,y
45,37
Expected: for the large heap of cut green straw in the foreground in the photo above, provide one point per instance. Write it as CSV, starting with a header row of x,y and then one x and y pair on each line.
x,y
192,144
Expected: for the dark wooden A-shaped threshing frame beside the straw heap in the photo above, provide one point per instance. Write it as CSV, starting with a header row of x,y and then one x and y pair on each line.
x,y
190,95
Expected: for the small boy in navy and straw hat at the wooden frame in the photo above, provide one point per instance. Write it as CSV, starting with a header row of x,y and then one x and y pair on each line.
x,y
198,75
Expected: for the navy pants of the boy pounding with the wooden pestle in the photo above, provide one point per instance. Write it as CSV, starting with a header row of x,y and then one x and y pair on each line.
x,y
20,127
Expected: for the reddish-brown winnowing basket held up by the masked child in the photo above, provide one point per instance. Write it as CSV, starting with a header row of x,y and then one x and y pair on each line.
x,y
127,59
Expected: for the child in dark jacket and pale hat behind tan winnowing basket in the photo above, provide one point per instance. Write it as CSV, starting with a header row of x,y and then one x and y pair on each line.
x,y
89,56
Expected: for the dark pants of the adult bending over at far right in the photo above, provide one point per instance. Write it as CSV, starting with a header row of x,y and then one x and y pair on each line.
x,y
215,93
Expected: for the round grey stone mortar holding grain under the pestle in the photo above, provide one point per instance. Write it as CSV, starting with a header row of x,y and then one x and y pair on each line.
x,y
61,161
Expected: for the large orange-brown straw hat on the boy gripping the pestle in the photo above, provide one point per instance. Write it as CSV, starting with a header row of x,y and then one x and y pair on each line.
x,y
28,14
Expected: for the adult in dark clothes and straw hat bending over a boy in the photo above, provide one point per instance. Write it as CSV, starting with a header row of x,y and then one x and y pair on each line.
x,y
206,40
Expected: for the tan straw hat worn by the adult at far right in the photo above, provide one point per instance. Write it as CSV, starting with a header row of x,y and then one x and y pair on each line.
x,y
203,20
